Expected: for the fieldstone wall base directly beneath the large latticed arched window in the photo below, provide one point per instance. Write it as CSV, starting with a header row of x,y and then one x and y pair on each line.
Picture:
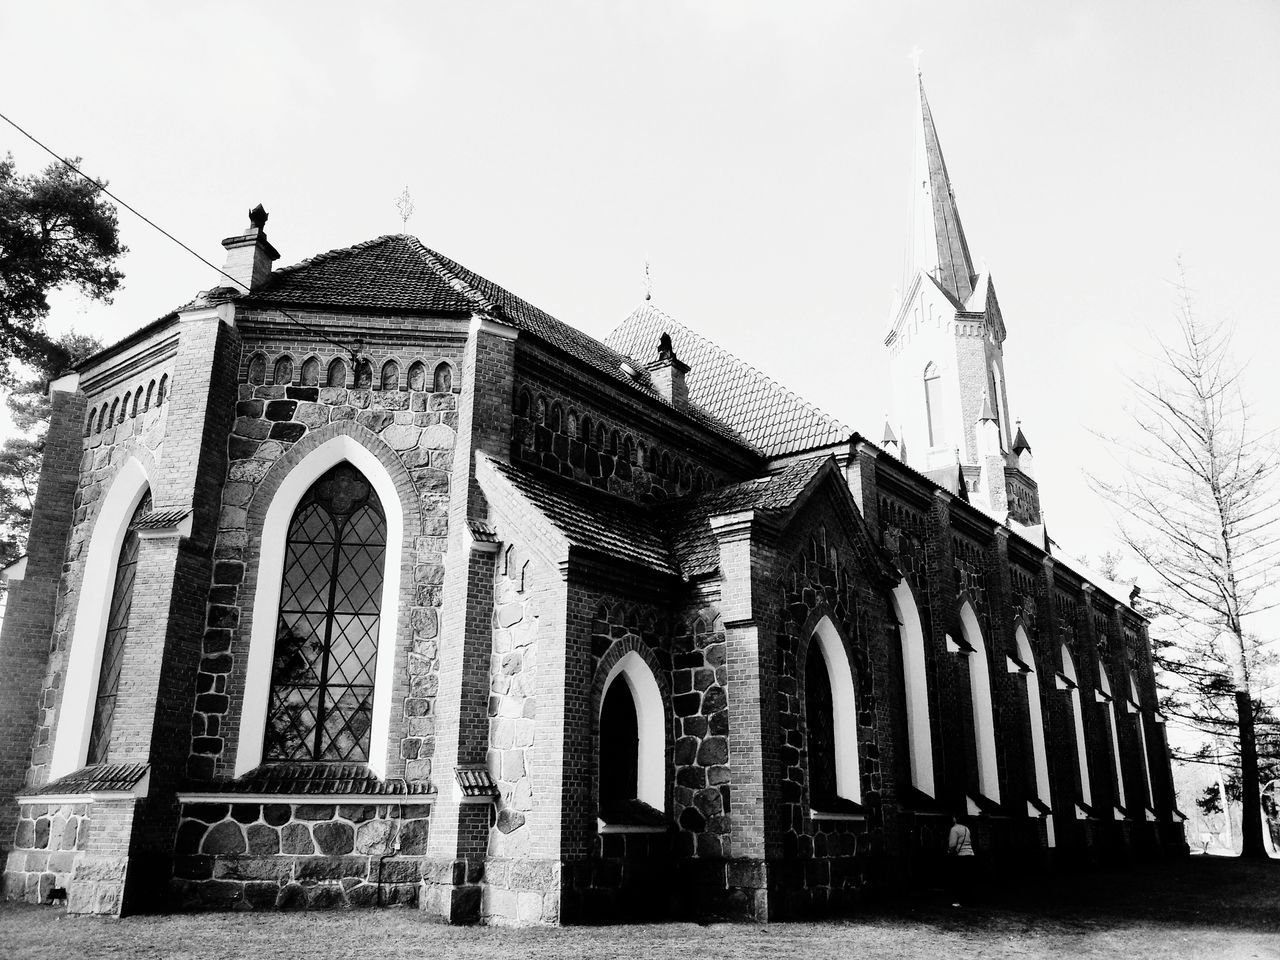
x,y
295,857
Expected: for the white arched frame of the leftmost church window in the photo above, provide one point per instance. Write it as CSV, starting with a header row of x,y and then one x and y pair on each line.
x,y
93,611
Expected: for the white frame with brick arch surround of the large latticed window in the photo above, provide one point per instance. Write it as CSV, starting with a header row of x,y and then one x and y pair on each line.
x,y
273,509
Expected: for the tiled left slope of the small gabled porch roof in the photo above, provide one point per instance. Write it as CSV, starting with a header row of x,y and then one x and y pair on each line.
x,y
687,520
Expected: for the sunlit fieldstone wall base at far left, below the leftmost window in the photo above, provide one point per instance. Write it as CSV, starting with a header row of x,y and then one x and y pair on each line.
x,y
47,848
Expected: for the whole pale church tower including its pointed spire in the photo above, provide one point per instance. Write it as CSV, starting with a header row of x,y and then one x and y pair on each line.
x,y
947,353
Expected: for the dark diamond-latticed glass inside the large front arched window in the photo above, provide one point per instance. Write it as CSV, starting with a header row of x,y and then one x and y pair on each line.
x,y
327,634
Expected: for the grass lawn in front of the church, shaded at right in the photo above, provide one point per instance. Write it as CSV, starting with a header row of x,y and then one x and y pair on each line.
x,y
1203,907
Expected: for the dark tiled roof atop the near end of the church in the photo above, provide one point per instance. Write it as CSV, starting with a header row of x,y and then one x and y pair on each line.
x,y
399,272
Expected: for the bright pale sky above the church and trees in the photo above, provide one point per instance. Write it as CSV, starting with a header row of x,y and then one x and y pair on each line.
x,y
758,154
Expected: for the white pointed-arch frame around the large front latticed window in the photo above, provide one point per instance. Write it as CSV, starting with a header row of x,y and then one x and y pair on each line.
x,y
267,597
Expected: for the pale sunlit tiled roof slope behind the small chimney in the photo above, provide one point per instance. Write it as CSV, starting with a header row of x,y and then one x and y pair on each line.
x,y
762,412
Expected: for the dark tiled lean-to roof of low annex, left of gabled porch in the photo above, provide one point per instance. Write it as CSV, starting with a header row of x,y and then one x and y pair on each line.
x,y
592,519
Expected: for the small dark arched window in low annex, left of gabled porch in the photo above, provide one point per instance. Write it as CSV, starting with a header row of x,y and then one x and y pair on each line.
x,y
633,740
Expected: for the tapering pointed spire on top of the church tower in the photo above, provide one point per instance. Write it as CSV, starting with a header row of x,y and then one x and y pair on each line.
x,y
938,245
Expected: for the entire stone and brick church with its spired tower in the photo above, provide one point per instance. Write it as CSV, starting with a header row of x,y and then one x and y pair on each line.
x,y
365,582
